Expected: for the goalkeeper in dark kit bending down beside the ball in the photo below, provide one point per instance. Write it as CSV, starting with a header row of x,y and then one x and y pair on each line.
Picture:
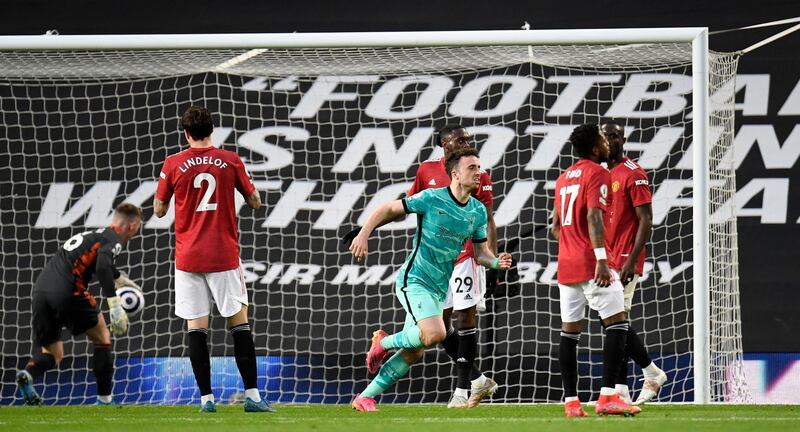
x,y
61,299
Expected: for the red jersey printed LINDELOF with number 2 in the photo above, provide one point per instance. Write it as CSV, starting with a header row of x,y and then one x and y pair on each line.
x,y
203,182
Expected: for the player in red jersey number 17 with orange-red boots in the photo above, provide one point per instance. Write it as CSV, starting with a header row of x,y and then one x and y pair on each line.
x,y
584,277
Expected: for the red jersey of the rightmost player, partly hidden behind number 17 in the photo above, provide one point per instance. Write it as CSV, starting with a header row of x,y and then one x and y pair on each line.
x,y
629,189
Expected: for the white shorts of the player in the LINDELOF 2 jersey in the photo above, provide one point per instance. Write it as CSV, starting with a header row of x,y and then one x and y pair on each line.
x,y
192,290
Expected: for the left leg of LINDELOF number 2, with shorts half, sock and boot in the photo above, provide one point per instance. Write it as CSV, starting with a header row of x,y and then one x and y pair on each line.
x,y
192,304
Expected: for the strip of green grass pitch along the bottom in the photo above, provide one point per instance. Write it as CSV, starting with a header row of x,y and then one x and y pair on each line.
x,y
405,418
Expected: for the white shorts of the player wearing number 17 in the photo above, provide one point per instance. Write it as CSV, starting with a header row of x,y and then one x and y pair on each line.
x,y
574,298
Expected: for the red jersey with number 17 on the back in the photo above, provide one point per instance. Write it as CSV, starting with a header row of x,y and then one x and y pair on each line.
x,y
581,187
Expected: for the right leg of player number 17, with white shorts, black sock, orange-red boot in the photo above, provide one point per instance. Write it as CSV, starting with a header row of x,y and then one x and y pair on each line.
x,y
609,303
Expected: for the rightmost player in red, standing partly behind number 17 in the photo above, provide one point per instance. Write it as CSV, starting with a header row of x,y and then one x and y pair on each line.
x,y
629,229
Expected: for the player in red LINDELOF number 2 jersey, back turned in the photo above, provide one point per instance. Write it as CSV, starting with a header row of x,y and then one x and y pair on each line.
x,y
203,179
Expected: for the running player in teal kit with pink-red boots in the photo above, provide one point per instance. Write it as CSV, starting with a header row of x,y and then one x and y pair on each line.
x,y
446,218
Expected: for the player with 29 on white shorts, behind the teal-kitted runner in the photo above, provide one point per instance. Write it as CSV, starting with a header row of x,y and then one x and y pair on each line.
x,y
468,281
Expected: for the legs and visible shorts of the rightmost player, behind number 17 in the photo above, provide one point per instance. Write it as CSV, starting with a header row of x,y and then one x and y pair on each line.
x,y
654,377
